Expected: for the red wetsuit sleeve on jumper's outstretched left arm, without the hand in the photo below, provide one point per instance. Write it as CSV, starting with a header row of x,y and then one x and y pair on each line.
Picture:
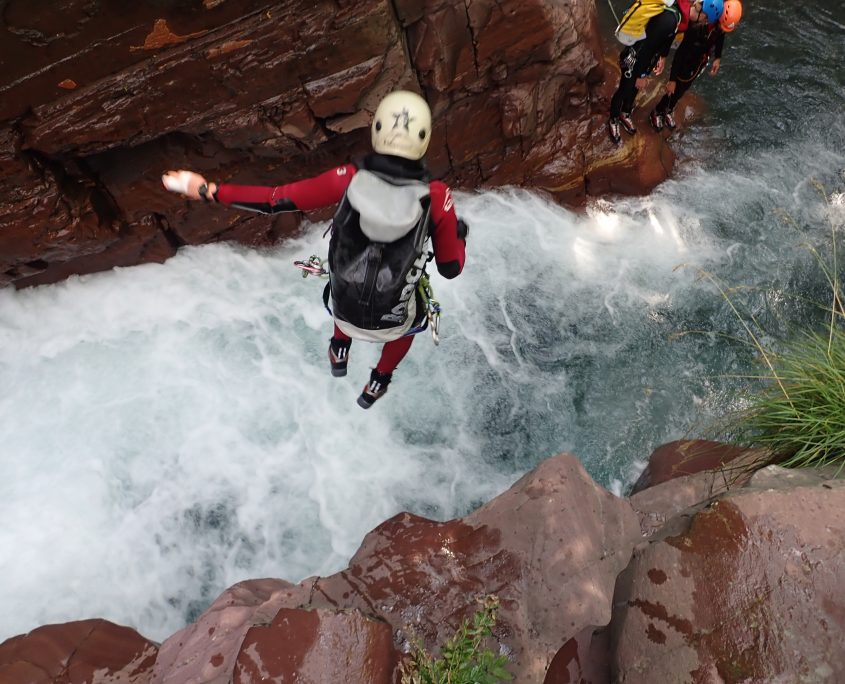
x,y
311,193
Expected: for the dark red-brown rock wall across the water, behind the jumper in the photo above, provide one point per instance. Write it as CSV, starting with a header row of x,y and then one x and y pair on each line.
x,y
95,104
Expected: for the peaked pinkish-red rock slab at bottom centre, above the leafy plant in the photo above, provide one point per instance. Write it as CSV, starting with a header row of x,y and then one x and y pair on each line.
x,y
550,548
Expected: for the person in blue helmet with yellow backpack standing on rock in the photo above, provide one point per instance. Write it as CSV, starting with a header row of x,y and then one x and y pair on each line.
x,y
648,29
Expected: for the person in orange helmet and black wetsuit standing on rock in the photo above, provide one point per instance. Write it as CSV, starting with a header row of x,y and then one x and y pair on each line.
x,y
701,41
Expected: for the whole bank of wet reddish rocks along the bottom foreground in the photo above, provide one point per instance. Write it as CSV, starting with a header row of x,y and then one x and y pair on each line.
x,y
697,579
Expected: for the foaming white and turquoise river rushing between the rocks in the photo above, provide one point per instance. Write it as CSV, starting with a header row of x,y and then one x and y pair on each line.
x,y
170,430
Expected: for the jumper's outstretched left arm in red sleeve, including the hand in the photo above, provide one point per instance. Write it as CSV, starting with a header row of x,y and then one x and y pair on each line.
x,y
312,193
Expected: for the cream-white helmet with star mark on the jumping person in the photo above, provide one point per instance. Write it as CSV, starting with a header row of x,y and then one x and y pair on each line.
x,y
402,125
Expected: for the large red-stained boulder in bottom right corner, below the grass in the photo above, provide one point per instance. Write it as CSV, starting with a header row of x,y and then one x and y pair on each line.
x,y
750,592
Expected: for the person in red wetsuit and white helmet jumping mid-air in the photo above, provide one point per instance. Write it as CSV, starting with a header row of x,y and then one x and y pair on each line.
x,y
388,209
